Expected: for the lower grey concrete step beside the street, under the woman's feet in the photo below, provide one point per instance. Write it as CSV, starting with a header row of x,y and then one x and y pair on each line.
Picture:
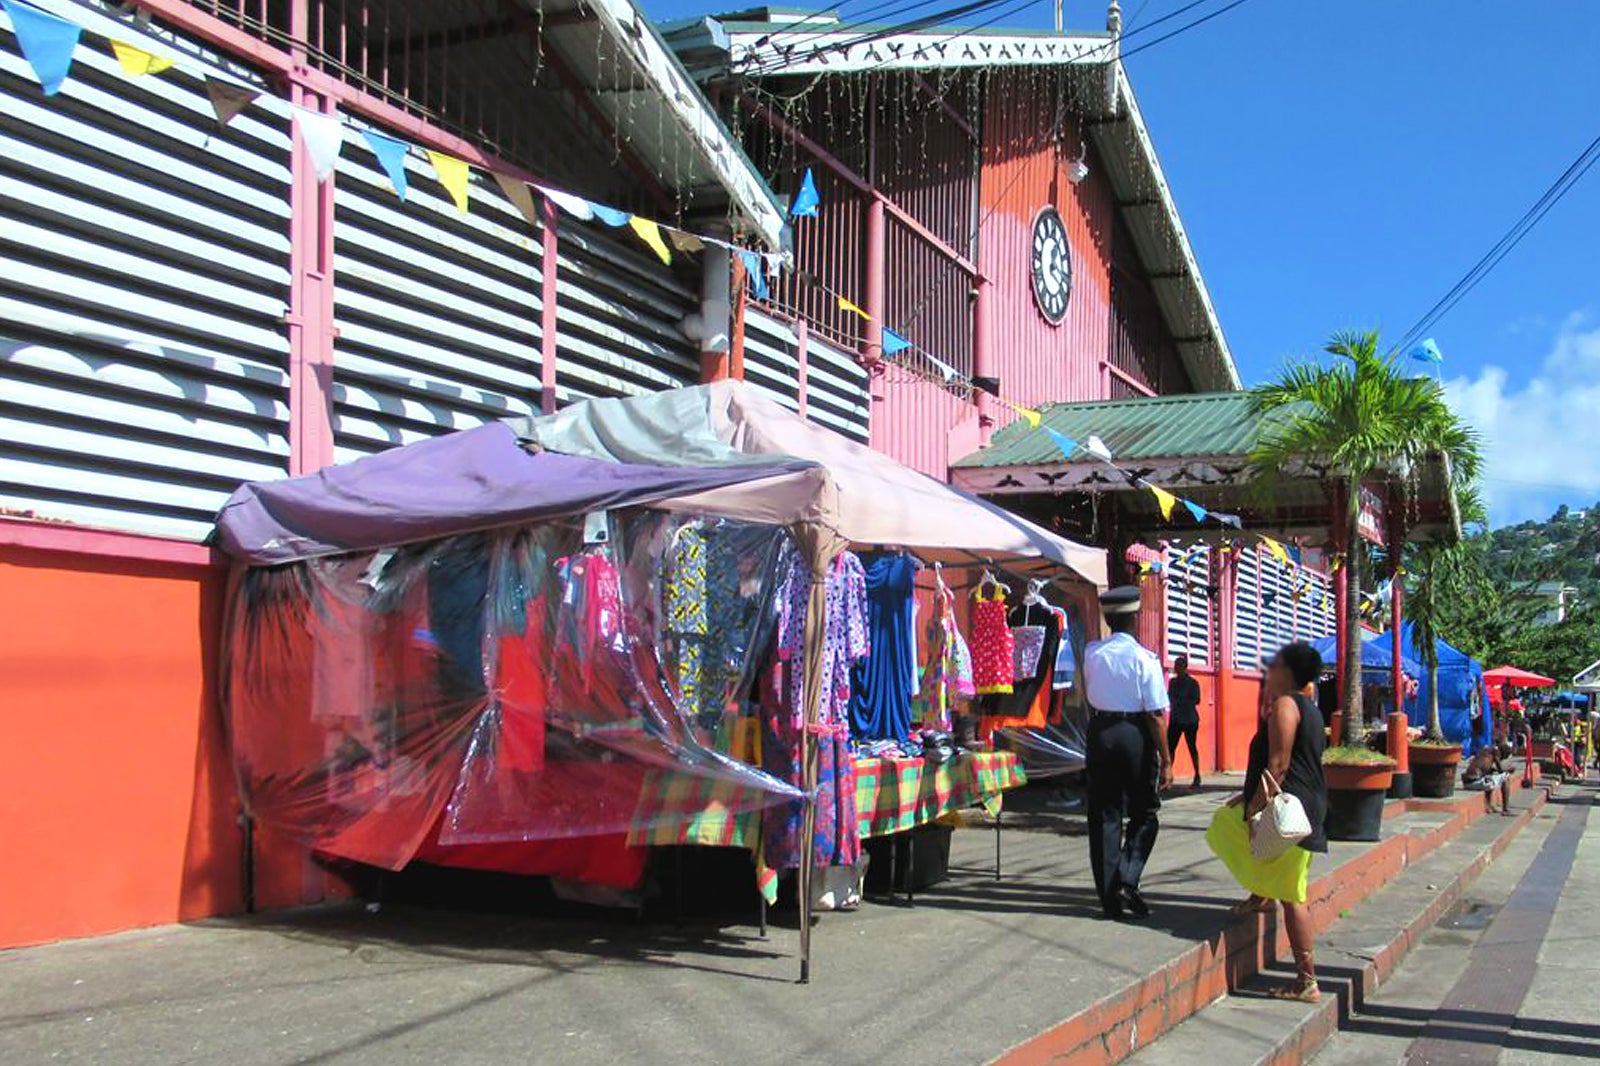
x,y
1361,948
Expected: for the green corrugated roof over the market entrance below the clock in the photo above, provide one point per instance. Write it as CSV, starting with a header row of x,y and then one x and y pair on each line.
x,y
1146,428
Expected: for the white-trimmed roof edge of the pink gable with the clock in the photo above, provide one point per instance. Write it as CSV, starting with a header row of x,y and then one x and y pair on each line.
x,y
790,42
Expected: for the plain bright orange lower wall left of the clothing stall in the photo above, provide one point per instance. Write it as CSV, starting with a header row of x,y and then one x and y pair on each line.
x,y
118,806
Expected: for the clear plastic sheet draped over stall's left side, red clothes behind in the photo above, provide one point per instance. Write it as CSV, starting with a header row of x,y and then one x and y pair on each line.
x,y
566,679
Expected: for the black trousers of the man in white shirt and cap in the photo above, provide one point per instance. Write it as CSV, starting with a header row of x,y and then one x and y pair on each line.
x,y
1124,783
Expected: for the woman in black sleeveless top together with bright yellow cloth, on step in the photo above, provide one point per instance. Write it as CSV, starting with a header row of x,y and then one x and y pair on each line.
x,y
1287,747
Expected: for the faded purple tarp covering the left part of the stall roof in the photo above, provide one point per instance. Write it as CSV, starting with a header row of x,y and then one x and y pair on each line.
x,y
474,479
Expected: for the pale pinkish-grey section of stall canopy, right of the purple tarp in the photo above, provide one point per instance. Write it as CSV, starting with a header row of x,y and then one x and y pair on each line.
x,y
874,500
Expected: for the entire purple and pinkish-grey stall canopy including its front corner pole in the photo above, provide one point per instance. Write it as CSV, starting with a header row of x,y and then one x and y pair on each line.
x,y
719,451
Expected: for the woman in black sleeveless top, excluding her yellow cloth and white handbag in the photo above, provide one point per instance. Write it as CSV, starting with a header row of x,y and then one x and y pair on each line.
x,y
1289,745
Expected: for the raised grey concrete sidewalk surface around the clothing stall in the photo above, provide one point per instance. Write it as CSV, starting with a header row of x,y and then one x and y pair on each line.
x,y
974,969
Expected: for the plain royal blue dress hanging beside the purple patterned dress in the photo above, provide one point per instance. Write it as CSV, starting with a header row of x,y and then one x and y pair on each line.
x,y
881,686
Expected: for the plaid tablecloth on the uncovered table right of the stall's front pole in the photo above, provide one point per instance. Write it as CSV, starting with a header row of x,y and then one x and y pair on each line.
x,y
900,795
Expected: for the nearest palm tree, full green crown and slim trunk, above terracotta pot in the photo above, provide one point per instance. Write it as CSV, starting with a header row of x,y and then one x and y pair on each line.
x,y
1353,422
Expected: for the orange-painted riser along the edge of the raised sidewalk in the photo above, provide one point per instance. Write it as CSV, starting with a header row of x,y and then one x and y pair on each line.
x,y
1138,1012
